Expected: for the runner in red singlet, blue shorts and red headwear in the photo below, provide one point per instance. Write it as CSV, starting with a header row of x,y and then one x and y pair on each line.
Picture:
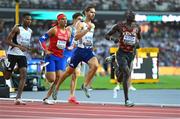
x,y
58,40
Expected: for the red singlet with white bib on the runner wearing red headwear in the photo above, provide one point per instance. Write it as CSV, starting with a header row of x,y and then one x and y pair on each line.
x,y
58,42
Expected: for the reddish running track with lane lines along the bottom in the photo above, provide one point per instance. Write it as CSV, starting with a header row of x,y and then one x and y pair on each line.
x,y
65,110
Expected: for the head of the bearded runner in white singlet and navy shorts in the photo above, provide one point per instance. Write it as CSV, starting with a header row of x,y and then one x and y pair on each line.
x,y
90,12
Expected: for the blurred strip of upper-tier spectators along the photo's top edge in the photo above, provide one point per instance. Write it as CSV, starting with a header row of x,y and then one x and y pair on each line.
x,y
138,5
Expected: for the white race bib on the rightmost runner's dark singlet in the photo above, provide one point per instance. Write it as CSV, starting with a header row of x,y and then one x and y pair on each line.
x,y
129,39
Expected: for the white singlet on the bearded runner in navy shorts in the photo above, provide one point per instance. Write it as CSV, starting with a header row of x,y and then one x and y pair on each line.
x,y
87,39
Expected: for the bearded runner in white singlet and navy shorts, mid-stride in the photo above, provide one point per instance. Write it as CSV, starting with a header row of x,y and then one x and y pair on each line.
x,y
84,51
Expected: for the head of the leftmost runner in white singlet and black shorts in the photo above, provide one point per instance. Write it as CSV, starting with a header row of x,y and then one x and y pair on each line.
x,y
26,19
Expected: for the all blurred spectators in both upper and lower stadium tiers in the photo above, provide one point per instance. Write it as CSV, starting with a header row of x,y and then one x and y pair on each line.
x,y
165,36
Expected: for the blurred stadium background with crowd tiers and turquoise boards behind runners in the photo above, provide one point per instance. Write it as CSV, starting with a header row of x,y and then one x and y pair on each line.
x,y
159,20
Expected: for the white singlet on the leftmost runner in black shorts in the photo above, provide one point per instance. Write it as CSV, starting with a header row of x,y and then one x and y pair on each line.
x,y
23,38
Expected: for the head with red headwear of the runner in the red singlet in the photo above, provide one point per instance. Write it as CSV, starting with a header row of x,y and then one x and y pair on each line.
x,y
61,20
